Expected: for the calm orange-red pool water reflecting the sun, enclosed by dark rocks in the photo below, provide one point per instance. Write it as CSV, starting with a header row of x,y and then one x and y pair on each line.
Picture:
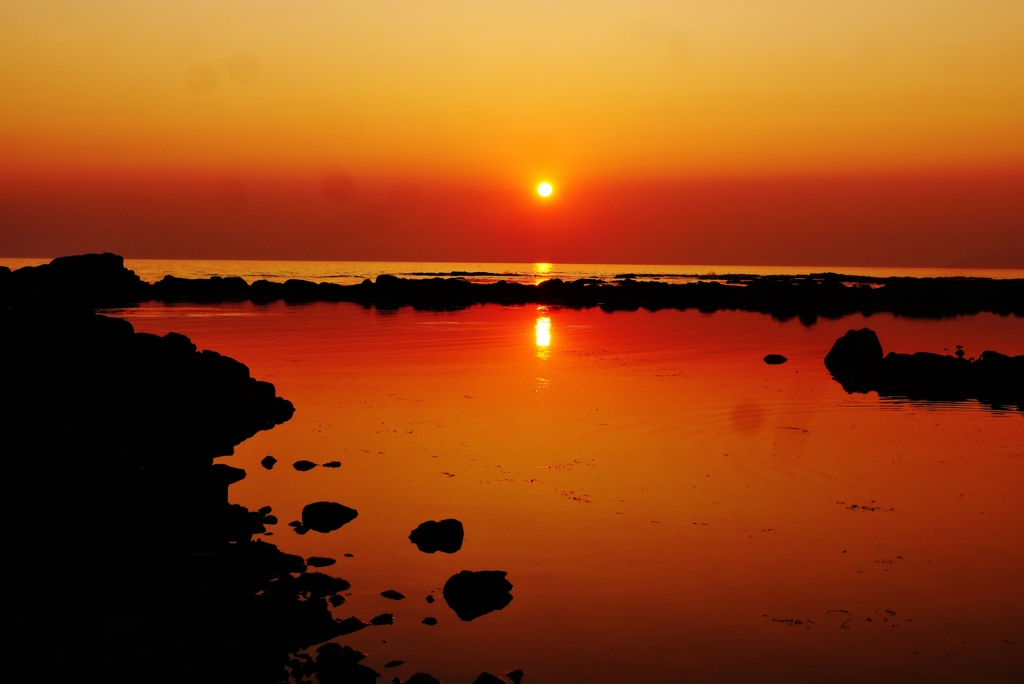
x,y
667,506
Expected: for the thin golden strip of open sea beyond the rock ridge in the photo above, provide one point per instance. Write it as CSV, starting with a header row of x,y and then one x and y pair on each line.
x,y
351,273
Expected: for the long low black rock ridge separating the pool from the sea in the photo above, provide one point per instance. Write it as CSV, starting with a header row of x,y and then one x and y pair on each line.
x,y
103,281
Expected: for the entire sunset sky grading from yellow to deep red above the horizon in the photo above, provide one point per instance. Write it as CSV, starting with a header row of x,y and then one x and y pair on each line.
x,y
863,133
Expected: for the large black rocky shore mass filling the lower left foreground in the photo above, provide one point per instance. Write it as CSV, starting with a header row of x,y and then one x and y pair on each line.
x,y
110,445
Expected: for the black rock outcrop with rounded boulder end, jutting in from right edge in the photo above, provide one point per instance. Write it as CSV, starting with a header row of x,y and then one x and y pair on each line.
x,y
857,362
